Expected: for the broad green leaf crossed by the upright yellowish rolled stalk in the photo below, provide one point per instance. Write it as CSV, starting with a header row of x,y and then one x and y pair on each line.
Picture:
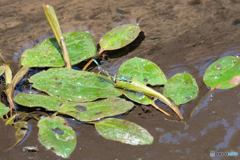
x,y
80,46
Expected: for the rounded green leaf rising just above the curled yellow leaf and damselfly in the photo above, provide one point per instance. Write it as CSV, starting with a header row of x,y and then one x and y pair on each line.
x,y
143,70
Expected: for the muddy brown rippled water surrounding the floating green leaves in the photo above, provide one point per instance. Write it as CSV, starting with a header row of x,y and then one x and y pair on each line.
x,y
186,35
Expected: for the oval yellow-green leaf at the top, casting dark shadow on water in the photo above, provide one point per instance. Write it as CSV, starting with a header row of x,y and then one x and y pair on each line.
x,y
119,37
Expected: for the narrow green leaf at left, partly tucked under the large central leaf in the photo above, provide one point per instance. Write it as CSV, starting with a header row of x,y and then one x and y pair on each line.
x,y
37,100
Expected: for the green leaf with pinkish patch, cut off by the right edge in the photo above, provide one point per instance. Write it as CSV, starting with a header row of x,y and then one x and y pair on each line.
x,y
223,73
